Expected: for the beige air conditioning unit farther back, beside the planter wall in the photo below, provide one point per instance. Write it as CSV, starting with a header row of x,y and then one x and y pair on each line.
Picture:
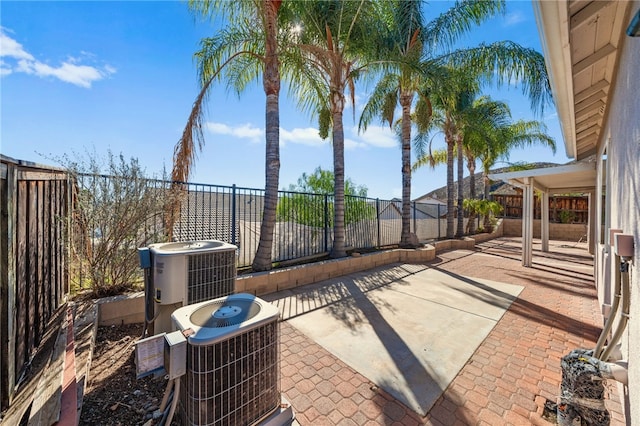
x,y
185,273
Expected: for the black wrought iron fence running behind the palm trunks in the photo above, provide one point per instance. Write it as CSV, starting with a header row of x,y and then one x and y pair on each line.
x,y
304,221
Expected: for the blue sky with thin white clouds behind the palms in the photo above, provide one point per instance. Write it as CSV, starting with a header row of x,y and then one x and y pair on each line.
x,y
102,75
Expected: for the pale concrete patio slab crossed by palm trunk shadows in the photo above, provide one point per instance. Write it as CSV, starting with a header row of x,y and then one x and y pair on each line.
x,y
407,328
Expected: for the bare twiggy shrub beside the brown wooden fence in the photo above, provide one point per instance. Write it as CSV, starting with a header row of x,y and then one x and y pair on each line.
x,y
114,215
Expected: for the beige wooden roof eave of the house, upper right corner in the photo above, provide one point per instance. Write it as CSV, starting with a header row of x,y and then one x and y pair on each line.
x,y
580,41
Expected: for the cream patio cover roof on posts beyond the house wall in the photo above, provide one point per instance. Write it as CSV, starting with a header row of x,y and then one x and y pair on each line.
x,y
577,177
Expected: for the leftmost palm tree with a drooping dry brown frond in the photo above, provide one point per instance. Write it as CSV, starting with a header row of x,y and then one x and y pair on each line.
x,y
243,51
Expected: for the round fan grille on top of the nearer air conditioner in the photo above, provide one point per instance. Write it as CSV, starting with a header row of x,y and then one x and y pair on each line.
x,y
225,313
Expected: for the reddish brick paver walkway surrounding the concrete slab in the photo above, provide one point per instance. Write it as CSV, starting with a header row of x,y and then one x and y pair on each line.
x,y
508,378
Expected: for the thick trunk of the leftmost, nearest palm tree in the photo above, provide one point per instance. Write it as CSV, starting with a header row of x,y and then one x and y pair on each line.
x,y
271,84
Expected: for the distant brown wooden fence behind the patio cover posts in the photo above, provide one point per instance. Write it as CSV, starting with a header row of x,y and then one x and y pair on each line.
x,y
562,208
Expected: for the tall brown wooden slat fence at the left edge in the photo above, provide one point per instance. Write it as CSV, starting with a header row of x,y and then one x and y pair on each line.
x,y
35,206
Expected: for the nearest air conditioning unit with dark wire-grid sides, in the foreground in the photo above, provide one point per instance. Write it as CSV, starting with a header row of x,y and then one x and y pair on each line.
x,y
232,372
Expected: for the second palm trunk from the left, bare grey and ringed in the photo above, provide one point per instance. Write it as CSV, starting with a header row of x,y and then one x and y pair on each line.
x,y
338,249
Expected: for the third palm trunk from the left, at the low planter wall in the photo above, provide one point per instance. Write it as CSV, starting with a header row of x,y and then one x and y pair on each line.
x,y
405,235
